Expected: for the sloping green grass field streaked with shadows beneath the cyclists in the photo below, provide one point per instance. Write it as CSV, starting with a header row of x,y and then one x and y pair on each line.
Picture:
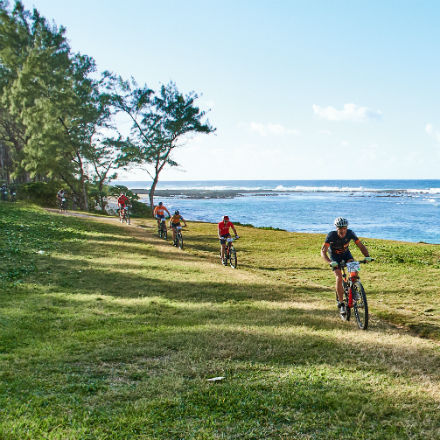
x,y
107,332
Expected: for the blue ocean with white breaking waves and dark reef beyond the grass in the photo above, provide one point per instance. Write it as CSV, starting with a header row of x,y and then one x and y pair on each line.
x,y
404,210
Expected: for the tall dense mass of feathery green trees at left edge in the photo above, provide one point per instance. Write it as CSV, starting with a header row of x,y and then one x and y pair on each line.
x,y
52,114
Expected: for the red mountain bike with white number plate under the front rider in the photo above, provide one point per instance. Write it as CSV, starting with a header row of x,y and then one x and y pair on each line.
x,y
354,294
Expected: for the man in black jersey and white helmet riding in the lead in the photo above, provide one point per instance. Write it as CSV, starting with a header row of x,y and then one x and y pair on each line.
x,y
336,244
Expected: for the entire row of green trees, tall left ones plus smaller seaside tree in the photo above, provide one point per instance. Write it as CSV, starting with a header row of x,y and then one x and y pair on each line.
x,y
57,116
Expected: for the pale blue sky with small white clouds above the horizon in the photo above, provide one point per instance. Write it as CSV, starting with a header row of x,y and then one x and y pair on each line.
x,y
296,89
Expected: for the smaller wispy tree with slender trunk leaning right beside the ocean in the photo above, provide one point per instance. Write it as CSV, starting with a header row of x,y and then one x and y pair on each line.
x,y
161,121
